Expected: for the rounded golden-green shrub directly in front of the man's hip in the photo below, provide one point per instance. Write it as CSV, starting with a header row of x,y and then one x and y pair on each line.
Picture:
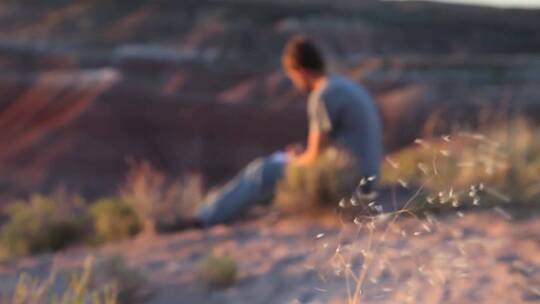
x,y
333,176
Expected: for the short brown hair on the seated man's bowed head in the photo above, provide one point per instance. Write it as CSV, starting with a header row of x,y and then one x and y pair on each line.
x,y
301,52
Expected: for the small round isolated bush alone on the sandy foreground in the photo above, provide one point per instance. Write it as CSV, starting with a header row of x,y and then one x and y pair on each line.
x,y
218,271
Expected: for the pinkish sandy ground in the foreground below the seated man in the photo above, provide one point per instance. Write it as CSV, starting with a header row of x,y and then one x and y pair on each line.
x,y
489,256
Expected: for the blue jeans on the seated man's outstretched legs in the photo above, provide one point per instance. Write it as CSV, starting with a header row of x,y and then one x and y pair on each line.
x,y
254,184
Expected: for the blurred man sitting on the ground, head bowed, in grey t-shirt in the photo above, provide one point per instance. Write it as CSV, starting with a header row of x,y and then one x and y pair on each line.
x,y
340,113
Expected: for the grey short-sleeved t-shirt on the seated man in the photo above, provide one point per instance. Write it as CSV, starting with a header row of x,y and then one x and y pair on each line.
x,y
349,115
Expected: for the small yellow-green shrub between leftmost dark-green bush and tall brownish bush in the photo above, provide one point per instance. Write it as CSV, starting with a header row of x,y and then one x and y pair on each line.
x,y
113,219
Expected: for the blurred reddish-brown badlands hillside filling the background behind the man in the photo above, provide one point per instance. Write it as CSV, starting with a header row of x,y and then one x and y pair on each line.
x,y
197,84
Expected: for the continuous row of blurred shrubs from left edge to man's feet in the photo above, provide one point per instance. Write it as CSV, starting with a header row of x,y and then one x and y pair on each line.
x,y
52,222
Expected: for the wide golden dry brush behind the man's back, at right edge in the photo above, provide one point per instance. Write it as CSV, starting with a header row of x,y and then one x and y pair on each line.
x,y
500,162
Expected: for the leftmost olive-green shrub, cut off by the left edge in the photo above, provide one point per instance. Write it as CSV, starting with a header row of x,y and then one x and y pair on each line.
x,y
41,224
